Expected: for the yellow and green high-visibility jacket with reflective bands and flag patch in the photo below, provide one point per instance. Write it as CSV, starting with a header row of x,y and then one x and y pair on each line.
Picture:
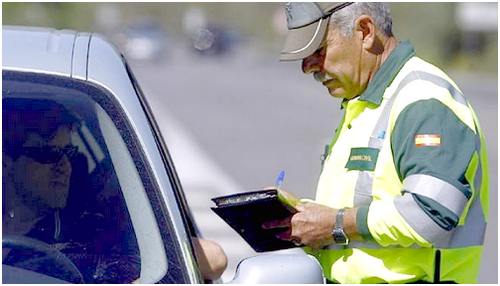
x,y
411,155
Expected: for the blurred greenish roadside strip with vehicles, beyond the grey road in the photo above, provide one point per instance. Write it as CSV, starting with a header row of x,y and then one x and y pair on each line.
x,y
452,35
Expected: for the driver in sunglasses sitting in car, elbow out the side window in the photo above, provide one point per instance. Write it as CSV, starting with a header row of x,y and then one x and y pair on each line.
x,y
47,200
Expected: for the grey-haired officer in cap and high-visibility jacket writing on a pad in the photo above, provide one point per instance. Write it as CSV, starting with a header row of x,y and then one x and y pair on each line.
x,y
402,197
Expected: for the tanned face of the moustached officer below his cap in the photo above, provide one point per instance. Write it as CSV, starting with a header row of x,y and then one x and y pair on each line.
x,y
337,65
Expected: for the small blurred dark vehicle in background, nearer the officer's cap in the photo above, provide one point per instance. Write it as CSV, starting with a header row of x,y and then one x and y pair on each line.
x,y
215,40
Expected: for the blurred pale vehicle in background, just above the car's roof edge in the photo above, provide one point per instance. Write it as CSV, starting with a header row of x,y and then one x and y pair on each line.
x,y
145,41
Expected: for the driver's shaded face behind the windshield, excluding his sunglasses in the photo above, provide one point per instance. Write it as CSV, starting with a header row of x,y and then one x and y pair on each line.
x,y
45,185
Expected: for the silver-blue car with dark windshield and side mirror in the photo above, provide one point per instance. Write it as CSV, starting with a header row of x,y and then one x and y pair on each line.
x,y
89,191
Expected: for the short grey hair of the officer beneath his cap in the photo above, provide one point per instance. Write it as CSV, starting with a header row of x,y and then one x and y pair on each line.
x,y
344,19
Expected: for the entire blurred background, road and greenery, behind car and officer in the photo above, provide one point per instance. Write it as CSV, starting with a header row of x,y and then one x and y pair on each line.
x,y
234,117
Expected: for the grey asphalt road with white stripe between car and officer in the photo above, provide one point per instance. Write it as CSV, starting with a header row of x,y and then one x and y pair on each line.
x,y
233,123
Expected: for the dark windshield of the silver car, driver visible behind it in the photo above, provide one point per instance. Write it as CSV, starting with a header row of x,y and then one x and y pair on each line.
x,y
75,203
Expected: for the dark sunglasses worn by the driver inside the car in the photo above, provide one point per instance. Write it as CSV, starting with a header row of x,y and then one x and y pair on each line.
x,y
50,154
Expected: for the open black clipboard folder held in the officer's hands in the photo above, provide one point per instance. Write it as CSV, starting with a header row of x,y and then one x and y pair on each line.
x,y
246,212
